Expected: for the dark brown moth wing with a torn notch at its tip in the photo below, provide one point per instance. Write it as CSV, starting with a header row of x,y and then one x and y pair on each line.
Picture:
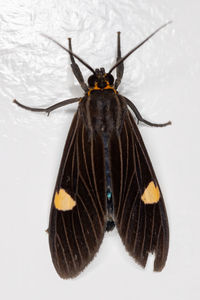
x,y
139,208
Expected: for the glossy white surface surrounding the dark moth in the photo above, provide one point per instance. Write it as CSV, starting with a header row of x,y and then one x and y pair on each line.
x,y
162,78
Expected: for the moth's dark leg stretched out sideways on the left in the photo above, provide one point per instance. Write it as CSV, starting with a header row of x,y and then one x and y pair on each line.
x,y
50,108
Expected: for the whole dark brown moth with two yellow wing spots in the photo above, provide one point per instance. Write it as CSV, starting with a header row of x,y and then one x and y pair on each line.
x,y
106,178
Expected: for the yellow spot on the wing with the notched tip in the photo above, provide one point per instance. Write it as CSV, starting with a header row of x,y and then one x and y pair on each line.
x,y
151,194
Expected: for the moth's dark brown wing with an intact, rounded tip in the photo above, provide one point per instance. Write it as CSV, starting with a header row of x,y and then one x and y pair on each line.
x,y
77,219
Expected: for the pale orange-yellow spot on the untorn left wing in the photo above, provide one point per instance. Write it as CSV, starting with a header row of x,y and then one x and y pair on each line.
x,y
63,201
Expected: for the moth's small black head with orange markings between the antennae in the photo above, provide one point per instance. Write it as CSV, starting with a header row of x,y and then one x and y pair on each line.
x,y
100,79
